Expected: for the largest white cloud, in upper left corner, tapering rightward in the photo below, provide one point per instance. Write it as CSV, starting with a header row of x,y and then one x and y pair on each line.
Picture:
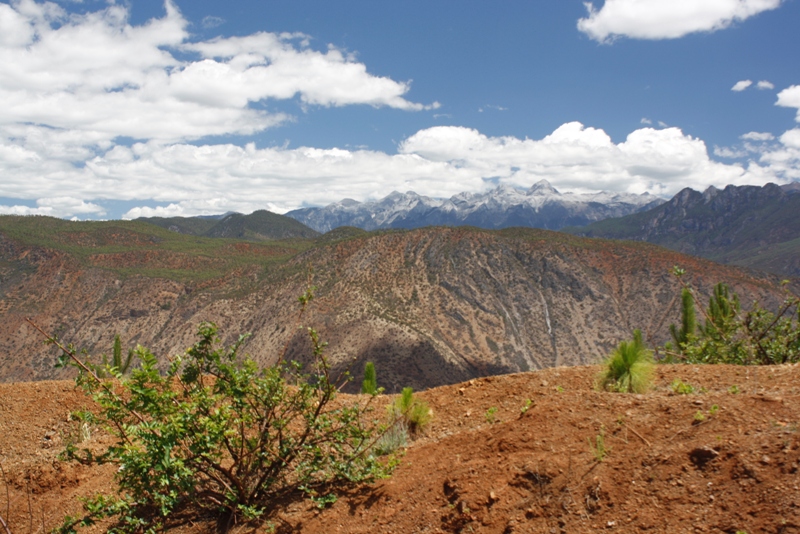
x,y
99,77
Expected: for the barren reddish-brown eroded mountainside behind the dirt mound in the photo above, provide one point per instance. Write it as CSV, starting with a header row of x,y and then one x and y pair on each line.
x,y
429,307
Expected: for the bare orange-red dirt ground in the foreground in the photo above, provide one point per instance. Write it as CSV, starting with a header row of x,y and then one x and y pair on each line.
x,y
508,454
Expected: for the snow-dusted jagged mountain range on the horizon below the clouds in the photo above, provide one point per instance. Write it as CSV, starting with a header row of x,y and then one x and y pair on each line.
x,y
541,206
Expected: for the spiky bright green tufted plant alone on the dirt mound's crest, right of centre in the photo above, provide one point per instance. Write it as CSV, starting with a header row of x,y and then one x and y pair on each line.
x,y
629,368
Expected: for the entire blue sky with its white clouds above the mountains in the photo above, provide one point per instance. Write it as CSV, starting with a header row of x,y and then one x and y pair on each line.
x,y
147,108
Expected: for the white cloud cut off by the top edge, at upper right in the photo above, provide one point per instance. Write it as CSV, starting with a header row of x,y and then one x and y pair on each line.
x,y
658,19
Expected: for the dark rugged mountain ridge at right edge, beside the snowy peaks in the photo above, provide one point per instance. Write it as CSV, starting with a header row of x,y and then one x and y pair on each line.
x,y
750,226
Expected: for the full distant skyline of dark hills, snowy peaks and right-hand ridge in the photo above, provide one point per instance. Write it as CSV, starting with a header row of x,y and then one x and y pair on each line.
x,y
750,226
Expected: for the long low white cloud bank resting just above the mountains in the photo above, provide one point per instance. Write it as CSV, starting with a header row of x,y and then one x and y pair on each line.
x,y
440,161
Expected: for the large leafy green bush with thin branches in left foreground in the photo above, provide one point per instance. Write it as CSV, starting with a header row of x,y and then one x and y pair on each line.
x,y
219,433
